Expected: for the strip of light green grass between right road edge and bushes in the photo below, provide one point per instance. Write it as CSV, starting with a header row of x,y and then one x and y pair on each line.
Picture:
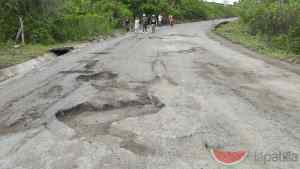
x,y
237,32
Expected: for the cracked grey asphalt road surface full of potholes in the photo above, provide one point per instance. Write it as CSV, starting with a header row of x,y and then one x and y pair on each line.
x,y
150,101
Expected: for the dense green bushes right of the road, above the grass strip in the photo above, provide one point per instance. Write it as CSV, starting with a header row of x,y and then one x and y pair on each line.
x,y
278,21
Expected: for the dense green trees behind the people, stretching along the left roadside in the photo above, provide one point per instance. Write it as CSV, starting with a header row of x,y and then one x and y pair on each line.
x,y
50,21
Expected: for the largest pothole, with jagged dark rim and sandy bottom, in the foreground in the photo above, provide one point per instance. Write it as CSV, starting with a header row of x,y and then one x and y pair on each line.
x,y
94,119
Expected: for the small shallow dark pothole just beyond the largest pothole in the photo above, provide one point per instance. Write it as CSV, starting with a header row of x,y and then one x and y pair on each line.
x,y
105,75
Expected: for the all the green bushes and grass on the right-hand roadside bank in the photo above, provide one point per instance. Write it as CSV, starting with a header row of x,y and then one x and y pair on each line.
x,y
269,26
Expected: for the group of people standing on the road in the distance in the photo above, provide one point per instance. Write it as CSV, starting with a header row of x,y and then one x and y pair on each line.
x,y
149,23
